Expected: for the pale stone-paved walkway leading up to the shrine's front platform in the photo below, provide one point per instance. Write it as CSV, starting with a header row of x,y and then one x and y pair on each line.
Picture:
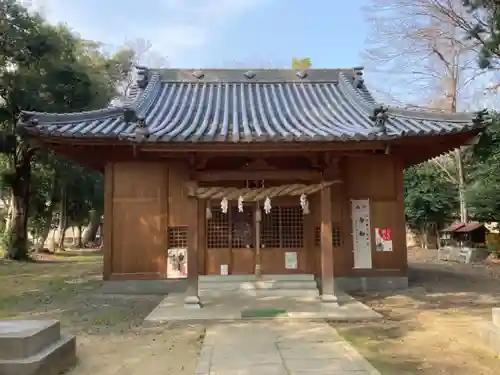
x,y
278,348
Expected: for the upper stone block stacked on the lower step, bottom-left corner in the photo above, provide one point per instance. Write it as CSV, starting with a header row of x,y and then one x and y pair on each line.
x,y
25,338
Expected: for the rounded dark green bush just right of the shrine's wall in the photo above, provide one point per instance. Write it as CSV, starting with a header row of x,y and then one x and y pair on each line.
x,y
430,198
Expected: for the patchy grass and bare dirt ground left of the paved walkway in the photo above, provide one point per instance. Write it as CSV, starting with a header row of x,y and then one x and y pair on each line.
x,y
110,338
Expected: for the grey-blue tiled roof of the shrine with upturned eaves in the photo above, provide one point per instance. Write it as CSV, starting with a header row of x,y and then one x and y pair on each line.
x,y
244,106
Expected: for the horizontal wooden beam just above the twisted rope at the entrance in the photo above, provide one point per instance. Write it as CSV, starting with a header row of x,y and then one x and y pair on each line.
x,y
292,174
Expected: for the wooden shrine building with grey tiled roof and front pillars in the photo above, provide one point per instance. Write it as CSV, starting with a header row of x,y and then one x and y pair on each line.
x,y
258,173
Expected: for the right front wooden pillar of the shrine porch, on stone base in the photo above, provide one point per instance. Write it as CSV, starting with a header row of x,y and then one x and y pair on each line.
x,y
326,244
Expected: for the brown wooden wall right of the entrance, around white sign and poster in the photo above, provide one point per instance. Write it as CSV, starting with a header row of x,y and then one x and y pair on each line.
x,y
380,179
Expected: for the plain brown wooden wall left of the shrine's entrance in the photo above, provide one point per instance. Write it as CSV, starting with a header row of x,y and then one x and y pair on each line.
x,y
141,201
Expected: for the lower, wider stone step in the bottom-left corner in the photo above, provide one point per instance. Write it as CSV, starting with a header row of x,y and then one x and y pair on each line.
x,y
51,360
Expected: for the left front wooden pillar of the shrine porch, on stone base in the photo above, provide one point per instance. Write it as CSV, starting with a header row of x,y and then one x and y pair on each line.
x,y
192,299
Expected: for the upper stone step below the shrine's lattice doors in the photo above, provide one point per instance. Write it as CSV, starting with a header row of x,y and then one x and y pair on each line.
x,y
257,285
